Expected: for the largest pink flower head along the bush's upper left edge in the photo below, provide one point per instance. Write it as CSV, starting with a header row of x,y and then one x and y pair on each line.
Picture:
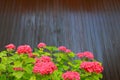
x,y
24,49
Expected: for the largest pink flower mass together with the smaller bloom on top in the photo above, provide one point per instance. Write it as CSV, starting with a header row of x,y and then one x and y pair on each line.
x,y
44,66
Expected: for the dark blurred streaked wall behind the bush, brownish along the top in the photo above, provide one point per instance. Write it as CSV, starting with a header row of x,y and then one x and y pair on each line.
x,y
81,25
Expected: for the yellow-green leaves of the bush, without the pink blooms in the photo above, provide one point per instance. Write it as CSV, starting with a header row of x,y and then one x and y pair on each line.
x,y
64,62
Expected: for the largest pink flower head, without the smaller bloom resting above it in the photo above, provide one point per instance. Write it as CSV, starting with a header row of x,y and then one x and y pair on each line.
x,y
44,68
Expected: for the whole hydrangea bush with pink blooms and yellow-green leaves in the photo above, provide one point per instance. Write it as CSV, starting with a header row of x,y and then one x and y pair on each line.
x,y
47,63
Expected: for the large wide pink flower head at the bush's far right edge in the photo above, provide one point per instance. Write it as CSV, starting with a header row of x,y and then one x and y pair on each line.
x,y
91,67
